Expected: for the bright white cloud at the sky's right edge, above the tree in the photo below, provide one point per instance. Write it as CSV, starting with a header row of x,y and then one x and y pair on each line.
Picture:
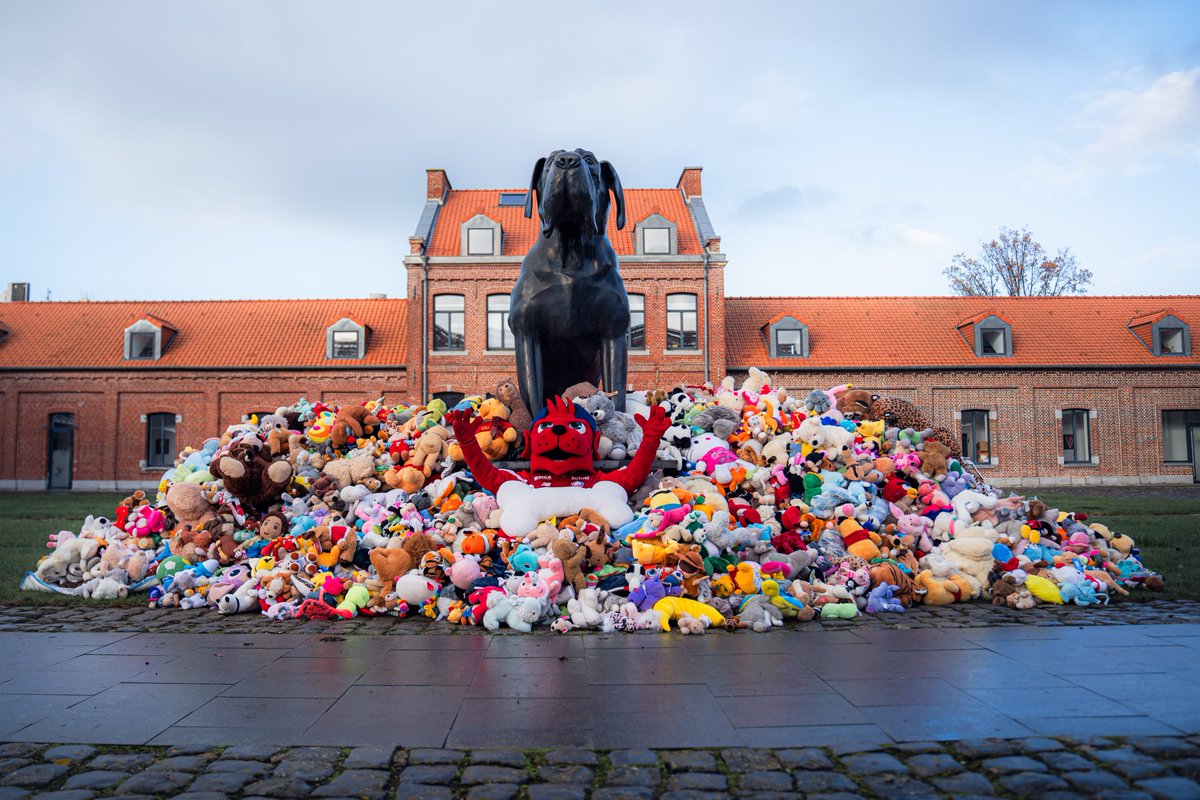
x,y
1131,131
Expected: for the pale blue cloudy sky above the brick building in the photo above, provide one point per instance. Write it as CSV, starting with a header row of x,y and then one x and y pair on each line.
x,y
278,149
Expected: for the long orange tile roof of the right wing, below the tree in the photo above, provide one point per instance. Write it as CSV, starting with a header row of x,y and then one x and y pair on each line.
x,y
880,333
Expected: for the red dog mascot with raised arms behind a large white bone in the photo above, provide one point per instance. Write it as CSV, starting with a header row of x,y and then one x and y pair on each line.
x,y
562,478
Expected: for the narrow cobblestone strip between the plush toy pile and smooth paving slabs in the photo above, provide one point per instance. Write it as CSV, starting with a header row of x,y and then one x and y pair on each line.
x,y
118,619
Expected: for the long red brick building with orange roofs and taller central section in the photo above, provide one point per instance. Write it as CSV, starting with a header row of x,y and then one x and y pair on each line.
x,y
1042,390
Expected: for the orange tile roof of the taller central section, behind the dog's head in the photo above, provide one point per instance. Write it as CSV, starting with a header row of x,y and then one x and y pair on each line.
x,y
520,233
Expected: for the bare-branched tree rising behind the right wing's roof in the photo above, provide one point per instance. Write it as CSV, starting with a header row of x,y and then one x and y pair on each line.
x,y
1017,266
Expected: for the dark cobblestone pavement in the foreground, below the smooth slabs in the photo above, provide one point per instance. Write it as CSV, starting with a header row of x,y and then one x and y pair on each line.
x,y
1109,768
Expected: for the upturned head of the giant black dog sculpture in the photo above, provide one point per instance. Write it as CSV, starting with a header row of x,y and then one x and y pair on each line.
x,y
573,193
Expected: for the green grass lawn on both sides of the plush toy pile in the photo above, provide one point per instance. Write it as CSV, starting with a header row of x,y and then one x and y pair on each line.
x,y
1168,532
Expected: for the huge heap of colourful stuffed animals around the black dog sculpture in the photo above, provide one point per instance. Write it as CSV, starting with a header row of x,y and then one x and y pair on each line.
x,y
734,507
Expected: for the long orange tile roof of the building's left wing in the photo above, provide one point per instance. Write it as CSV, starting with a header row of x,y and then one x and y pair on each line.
x,y
211,333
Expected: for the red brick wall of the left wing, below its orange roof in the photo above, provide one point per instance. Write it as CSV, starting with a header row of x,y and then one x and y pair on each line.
x,y
111,438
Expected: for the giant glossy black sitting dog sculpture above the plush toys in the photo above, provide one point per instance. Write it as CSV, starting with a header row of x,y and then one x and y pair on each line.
x,y
571,314
